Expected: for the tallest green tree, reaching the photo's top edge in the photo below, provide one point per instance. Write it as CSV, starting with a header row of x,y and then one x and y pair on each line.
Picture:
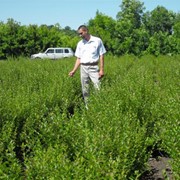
x,y
128,28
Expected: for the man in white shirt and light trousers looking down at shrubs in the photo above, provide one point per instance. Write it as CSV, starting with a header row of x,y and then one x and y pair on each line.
x,y
89,52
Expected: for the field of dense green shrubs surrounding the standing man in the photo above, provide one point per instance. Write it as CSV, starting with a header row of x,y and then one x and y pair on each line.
x,y
47,133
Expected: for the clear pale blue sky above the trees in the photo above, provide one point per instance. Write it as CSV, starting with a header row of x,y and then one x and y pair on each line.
x,y
72,13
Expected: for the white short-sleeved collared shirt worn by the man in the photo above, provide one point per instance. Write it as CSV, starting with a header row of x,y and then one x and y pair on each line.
x,y
89,51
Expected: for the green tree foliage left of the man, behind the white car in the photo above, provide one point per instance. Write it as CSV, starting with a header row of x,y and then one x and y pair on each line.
x,y
17,40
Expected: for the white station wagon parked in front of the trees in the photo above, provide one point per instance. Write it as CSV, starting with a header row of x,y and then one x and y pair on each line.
x,y
54,53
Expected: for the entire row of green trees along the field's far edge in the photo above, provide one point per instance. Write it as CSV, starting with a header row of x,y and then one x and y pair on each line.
x,y
134,31
